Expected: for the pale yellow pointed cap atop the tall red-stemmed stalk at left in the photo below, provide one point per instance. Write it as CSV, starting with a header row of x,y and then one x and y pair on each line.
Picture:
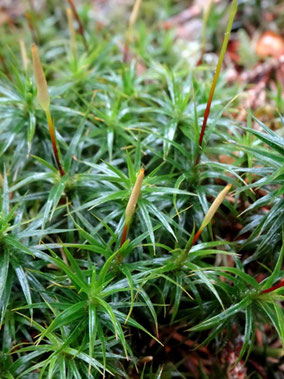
x,y
42,90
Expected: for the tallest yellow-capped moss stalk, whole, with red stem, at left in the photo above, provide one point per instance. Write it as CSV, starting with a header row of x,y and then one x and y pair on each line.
x,y
44,101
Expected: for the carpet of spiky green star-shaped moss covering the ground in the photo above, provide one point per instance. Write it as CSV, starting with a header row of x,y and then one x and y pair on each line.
x,y
74,302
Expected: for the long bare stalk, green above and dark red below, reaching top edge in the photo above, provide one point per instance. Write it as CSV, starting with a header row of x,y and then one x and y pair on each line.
x,y
233,12
